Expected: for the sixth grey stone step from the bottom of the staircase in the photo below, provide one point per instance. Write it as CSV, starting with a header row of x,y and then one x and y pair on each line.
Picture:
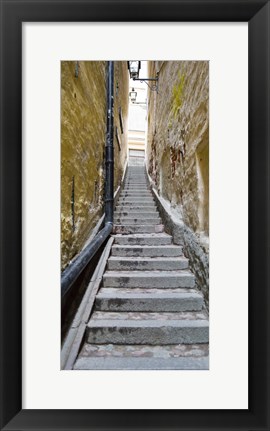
x,y
147,251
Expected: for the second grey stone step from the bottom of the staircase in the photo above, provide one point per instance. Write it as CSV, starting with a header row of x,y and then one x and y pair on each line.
x,y
153,331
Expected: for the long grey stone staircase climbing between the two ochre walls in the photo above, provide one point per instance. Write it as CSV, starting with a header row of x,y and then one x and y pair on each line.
x,y
147,313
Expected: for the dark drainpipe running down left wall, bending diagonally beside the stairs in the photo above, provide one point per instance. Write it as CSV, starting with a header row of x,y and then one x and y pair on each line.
x,y
72,272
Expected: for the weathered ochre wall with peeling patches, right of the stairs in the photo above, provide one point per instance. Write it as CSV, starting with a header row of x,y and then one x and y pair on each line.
x,y
178,152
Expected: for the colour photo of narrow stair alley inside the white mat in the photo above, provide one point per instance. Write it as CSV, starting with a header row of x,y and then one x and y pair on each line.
x,y
135,215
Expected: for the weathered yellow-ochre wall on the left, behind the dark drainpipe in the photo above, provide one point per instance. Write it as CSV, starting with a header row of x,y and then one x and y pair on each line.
x,y
83,131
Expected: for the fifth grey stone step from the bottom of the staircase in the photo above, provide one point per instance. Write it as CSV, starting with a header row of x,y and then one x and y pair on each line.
x,y
116,263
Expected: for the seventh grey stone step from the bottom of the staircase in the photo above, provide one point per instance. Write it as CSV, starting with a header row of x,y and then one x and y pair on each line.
x,y
140,239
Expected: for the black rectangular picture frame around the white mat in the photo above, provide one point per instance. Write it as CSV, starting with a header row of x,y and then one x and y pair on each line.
x,y
13,14
